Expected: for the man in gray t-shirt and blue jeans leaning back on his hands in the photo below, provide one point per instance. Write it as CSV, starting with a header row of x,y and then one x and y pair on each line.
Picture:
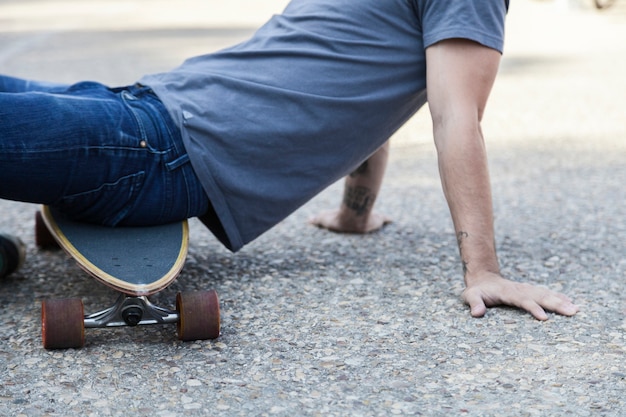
x,y
244,136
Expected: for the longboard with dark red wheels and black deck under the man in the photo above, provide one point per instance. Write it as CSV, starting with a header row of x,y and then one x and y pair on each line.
x,y
135,261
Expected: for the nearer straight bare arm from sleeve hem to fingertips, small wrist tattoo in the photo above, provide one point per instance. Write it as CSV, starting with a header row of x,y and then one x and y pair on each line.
x,y
460,76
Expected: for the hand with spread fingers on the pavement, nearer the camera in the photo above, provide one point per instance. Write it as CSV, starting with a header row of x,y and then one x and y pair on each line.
x,y
490,290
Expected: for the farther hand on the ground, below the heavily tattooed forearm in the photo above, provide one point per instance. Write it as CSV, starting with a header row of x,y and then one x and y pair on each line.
x,y
338,221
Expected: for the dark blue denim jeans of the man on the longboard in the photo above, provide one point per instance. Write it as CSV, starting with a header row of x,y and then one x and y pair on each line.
x,y
101,155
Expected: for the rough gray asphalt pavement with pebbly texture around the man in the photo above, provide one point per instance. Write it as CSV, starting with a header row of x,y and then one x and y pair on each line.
x,y
319,324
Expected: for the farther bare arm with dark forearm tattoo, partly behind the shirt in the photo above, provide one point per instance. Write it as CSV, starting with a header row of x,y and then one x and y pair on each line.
x,y
356,215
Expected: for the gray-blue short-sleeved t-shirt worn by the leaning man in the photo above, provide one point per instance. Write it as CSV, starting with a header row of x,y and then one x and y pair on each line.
x,y
271,122
